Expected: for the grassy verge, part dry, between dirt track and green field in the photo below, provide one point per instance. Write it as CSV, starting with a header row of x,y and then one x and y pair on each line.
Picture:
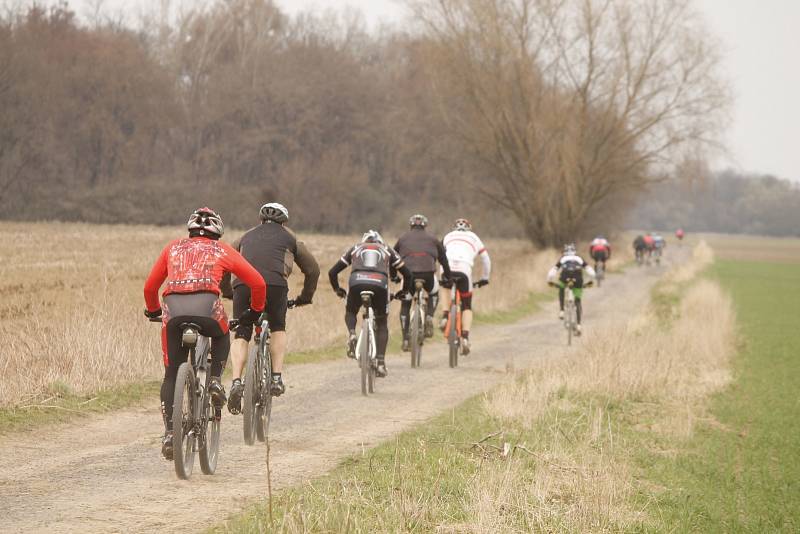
x,y
553,449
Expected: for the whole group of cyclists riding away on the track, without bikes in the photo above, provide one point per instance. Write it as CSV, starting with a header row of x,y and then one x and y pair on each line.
x,y
254,273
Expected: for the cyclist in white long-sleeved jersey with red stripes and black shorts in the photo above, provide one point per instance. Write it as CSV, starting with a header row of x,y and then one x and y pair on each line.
x,y
462,246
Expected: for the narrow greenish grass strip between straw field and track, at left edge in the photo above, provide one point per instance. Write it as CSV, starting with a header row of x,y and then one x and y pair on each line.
x,y
59,405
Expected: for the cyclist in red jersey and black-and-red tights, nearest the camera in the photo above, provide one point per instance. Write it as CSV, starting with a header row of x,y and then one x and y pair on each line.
x,y
193,268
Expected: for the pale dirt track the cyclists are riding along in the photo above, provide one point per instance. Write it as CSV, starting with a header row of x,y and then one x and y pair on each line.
x,y
105,474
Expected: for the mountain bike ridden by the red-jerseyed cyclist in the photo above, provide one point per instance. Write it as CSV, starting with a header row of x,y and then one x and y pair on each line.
x,y
196,423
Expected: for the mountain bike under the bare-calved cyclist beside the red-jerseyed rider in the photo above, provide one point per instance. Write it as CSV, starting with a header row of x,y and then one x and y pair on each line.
x,y
257,398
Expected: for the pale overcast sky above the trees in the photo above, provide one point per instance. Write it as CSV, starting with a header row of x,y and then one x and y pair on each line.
x,y
762,43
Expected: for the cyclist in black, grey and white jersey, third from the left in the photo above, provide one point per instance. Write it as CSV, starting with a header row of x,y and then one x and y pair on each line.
x,y
371,261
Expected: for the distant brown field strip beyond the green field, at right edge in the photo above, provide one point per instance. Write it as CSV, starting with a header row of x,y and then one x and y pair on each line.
x,y
754,248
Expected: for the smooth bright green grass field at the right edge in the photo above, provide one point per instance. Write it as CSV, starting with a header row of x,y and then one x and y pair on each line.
x,y
741,470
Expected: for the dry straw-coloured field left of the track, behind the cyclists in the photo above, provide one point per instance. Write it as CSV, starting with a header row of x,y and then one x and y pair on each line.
x,y
71,319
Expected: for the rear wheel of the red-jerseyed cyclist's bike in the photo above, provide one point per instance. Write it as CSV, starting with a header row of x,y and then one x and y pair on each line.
x,y
183,417
